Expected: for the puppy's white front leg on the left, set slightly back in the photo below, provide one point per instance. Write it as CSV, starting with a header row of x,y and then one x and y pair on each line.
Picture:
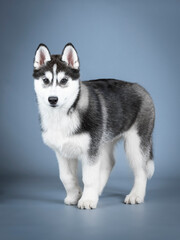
x,y
68,176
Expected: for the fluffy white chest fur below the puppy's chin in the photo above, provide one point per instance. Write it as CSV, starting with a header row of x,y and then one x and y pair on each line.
x,y
58,133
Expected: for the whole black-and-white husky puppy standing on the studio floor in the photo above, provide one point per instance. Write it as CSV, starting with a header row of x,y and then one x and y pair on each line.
x,y
85,119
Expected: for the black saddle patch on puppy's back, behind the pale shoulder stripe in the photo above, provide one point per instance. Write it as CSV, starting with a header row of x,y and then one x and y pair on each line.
x,y
122,103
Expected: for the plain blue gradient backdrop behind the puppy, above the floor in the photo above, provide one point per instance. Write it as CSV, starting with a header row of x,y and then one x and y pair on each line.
x,y
136,41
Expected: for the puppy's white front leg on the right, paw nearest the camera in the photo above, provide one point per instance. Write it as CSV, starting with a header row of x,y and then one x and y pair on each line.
x,y
90,172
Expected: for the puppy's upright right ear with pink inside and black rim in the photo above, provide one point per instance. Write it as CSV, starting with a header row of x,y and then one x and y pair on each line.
x,y
69,55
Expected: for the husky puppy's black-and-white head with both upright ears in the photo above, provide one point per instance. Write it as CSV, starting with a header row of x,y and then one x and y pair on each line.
x,y
56,77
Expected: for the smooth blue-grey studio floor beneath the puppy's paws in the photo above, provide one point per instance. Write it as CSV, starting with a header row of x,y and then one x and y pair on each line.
x,y
33,208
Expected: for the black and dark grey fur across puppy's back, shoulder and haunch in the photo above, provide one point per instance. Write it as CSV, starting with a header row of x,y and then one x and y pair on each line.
x,y
124,103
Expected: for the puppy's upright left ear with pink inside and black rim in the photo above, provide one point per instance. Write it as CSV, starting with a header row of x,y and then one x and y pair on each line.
x,y
42,56
